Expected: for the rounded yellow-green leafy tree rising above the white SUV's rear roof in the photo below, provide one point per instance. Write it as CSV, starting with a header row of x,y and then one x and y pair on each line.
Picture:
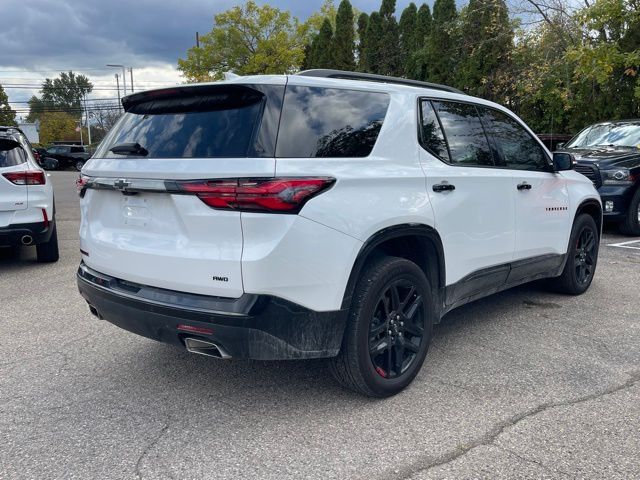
x,y
247,40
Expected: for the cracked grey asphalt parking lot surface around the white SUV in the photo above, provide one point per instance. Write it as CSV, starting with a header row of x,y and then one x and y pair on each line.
x,y
525,384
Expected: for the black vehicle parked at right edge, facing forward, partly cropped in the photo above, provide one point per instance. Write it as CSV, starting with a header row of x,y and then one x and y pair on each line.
x,y
609,154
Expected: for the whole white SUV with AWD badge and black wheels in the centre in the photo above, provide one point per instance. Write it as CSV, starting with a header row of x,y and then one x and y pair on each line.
x,y
324,214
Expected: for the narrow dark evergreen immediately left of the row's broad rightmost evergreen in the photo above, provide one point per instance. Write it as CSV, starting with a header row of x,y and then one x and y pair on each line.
x,y
441,51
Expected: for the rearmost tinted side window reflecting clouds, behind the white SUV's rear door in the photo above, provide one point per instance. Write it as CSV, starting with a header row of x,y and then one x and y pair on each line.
x,y
330,122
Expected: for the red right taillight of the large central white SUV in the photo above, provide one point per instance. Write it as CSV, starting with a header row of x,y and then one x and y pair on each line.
x,y
285,195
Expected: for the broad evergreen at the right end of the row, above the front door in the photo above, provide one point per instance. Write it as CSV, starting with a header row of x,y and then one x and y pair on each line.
x,y
486,49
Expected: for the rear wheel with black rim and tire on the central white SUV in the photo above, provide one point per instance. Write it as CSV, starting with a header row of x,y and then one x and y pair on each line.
x,y
370,323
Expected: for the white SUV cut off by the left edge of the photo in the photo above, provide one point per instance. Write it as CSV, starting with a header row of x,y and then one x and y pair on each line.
x,y
26,198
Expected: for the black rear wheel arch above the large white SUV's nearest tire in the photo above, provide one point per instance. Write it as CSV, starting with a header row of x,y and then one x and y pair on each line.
x,y
418,243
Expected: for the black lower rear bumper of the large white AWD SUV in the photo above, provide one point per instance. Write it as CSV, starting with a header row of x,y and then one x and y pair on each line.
x,y
258,327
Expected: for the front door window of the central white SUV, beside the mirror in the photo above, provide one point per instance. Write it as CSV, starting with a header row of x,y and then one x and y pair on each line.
x,y
517,149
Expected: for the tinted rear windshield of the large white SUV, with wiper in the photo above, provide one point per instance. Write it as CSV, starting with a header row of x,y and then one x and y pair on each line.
x,y
209,122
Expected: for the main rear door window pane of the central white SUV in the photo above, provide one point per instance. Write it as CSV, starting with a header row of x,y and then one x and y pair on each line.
x,y
464,133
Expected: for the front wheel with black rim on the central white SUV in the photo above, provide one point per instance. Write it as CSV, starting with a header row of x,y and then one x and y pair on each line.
x,y
582,258
